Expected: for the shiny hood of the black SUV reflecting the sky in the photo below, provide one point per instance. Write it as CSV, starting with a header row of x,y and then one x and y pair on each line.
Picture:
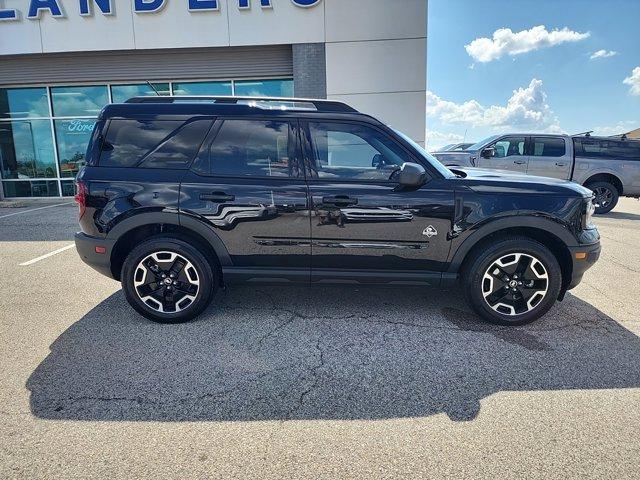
x,y
502,181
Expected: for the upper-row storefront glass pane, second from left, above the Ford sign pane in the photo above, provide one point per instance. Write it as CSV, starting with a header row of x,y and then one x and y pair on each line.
x,y
79,101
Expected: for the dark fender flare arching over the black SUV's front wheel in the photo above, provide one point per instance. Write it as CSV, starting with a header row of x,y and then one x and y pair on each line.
x,y
541,223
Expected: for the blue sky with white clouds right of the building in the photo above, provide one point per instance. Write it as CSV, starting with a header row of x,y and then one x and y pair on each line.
x,y
546,59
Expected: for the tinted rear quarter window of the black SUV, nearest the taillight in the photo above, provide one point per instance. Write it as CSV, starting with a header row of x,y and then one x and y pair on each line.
x,y
152,143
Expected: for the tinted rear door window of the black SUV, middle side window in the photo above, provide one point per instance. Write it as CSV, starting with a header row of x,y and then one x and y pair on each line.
x,y
254,148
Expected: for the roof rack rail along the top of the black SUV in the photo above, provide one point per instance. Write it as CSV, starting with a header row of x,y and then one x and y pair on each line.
x,y
297,103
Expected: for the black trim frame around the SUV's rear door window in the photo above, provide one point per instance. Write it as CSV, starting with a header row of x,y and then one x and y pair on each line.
x,y
215,130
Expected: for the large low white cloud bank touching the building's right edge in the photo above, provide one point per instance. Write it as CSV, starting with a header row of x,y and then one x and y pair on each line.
x,y
526,109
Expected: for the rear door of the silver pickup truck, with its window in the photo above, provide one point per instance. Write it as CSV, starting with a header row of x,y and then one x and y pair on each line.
x,y
549,157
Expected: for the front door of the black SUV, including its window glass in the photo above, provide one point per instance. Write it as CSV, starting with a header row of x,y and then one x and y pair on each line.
x,y
364,226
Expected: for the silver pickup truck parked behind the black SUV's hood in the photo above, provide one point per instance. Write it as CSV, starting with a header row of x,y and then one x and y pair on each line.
x,y
608,166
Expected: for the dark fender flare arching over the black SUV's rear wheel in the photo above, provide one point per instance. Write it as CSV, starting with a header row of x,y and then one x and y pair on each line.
x,y
174,218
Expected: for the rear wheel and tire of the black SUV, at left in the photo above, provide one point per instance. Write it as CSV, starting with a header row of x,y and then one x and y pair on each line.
x,y
184,291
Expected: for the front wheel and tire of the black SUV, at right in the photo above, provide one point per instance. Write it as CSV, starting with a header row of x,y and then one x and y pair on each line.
x,y
484,283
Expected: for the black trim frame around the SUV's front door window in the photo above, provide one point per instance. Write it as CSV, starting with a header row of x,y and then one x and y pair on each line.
x,y
309,156
